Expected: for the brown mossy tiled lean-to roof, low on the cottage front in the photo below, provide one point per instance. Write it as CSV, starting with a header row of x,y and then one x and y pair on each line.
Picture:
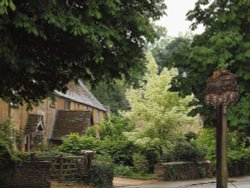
x,y
70,122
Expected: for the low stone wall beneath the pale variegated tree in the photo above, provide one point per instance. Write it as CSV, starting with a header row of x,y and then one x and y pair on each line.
x,y
183,170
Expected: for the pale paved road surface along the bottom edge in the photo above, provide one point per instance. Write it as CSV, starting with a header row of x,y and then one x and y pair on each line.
x,y
241,182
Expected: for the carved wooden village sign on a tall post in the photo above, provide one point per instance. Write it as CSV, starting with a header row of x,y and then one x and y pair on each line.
x,y
221,90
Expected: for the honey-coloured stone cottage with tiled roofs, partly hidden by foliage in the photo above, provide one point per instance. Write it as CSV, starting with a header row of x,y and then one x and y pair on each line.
x,y
70,112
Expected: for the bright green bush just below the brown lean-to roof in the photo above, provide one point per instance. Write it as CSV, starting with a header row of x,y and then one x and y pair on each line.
x,y
74,143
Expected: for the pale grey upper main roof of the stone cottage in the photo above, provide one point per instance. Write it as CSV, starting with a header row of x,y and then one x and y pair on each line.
x,y
81,94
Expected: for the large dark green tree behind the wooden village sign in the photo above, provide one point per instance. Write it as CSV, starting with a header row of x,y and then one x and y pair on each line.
x,y
225,44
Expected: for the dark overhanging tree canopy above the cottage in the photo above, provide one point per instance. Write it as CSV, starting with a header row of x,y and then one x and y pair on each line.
x,y
46,44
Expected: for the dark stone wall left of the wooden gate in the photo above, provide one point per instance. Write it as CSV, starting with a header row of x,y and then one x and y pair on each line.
x,y
29,175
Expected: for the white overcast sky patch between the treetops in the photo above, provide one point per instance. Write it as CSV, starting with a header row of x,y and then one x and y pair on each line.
x,y
175,21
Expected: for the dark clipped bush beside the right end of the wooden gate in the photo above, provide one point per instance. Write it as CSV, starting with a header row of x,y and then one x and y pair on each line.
x,y
99,175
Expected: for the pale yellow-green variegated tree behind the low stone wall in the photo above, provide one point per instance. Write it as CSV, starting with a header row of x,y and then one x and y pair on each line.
x,y
159,113
